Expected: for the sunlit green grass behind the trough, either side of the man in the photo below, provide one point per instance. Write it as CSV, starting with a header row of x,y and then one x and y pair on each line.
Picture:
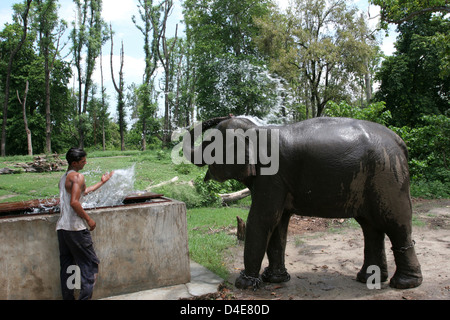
x,y
151,168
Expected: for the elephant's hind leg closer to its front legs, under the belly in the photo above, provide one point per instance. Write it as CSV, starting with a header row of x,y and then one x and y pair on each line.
x,y
374,252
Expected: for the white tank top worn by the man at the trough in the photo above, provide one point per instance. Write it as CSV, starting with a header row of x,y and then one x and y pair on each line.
x,y
68,220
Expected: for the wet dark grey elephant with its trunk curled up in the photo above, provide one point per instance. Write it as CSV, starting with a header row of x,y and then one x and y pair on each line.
x,y
326,167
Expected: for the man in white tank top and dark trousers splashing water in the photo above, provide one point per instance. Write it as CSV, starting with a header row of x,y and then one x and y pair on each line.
x,y
74,226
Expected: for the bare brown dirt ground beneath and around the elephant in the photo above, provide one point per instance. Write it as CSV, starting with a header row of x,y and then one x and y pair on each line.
x,y
323,257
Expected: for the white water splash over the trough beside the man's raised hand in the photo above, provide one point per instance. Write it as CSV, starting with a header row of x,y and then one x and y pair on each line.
x,y
114,191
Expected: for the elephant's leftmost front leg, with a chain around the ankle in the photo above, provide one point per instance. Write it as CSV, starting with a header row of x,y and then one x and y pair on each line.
x,y
264,216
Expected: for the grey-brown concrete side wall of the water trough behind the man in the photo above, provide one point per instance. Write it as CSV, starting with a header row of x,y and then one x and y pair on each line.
x,y
139,246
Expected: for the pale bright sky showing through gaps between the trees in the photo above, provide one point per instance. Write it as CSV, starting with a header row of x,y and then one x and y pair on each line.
x,y
119,13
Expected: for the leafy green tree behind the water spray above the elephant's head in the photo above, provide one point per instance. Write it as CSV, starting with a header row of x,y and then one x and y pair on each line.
x,y
225,57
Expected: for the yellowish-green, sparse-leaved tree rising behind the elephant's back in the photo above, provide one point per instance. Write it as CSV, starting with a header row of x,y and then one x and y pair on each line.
x,y
322,48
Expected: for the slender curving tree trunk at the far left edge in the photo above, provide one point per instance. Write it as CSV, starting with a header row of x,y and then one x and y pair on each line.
x,y
21,17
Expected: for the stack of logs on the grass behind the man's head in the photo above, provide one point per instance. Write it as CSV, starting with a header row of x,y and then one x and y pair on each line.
x,y
39,164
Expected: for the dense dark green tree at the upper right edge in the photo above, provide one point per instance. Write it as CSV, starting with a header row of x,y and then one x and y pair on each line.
x,y
411,82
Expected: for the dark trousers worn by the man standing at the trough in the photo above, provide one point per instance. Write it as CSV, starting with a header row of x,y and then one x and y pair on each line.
x,y
76,248
